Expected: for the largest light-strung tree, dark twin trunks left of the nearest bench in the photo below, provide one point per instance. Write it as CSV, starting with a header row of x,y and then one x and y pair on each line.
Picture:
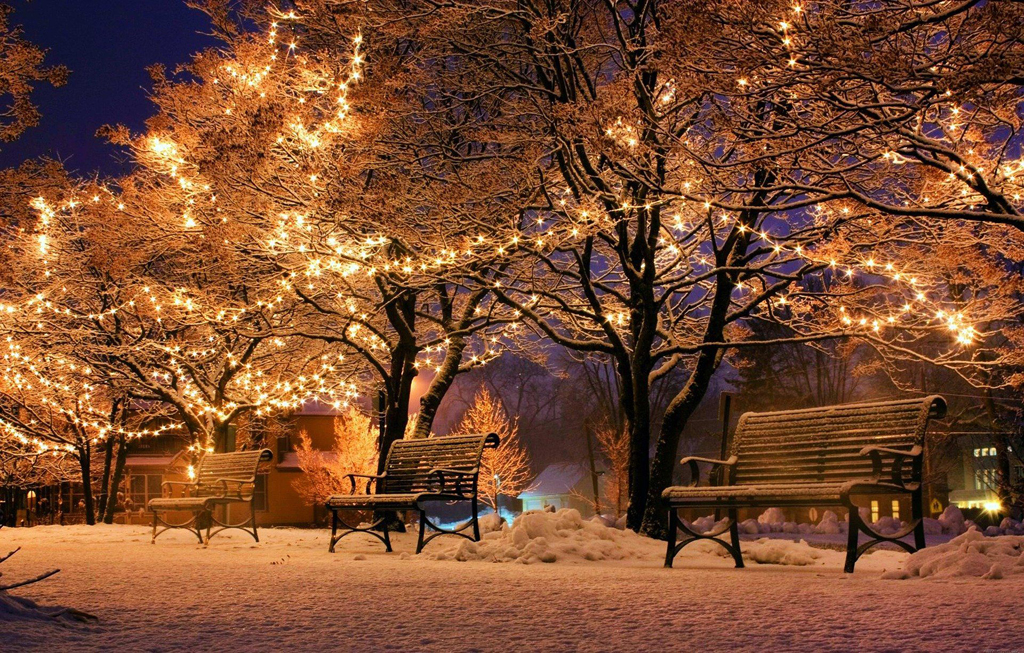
x,y
692,183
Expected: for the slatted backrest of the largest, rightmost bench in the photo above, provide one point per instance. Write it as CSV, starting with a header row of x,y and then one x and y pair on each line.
x,y
823,446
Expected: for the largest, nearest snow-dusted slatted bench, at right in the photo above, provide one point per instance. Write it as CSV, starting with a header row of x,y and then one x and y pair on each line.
x,y
814,458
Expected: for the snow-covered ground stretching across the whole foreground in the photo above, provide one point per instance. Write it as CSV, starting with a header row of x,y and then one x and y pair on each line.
x,y
605,591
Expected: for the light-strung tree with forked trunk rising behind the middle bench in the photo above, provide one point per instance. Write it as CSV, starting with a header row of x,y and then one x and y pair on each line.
x,y
324,185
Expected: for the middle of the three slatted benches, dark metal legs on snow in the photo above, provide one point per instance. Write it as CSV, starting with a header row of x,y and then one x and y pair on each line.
x,y
439,469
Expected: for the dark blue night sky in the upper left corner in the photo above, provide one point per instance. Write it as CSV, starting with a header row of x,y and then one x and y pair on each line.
x,y
107,45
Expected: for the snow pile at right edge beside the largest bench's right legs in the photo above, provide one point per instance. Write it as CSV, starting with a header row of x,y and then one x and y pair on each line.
x,y
971,555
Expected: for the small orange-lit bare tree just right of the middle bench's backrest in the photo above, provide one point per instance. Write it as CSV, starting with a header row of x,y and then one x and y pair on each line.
x,y
504,470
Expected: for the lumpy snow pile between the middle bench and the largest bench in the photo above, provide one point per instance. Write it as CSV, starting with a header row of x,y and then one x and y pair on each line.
x,y
545,537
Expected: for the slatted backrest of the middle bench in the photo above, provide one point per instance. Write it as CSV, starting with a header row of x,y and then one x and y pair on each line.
x,y
410,463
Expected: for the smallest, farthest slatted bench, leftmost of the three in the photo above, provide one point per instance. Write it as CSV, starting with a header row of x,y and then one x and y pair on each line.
x,y
222,480
